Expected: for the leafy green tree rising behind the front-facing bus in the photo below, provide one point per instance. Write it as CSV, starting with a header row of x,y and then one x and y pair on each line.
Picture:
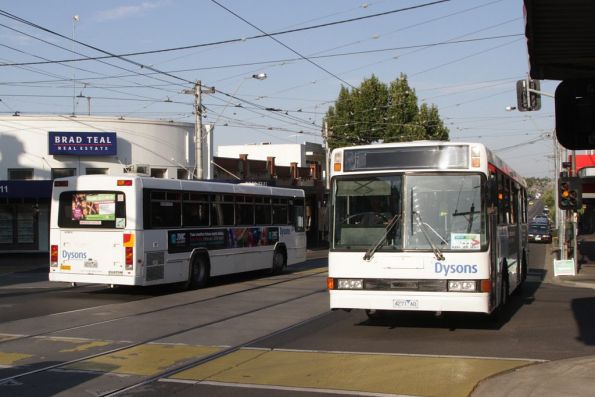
x,y
375,112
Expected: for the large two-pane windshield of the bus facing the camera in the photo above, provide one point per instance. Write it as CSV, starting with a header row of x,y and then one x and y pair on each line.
x,y
444,212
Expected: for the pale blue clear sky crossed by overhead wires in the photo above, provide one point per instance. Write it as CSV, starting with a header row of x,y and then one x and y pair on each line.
x,y
464,56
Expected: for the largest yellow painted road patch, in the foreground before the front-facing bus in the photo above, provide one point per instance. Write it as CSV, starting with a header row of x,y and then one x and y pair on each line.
x,y
375,373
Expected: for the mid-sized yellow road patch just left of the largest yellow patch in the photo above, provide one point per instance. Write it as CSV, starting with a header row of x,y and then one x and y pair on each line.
x,y
145,360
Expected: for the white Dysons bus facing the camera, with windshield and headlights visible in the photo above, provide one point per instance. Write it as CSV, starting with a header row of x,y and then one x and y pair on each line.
x,y
425,226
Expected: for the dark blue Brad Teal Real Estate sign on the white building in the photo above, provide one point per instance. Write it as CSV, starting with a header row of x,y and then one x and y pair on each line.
x,y
83,143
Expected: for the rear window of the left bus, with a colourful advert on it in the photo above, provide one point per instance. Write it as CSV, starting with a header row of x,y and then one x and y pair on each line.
x,y
92,209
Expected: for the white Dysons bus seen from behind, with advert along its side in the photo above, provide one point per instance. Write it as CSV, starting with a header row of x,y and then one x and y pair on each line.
x,y
133,230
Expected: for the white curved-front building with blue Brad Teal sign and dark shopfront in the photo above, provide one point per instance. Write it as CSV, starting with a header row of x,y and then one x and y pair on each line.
x,y
36,149
